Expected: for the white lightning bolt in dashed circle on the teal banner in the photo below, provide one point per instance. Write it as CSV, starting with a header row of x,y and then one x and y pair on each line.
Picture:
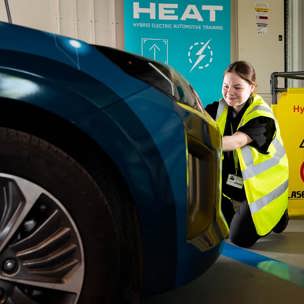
x,y
200,55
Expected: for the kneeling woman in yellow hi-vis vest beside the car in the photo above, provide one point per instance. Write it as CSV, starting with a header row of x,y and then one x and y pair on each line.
x,y
255,165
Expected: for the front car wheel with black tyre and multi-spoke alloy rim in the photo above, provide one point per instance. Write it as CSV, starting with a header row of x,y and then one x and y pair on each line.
x,y
57,238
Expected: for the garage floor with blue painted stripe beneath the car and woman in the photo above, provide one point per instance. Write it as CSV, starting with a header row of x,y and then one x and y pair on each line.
x,y
270,272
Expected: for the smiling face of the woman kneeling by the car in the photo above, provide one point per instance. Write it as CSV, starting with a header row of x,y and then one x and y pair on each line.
x,y
236,90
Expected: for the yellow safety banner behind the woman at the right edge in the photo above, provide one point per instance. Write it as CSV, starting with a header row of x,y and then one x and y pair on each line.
x,y
290,114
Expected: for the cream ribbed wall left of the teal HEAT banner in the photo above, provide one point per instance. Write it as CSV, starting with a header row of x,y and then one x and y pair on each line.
x,y
95,21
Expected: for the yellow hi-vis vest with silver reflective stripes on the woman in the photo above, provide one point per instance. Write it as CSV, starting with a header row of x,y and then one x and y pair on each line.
x,y
265,176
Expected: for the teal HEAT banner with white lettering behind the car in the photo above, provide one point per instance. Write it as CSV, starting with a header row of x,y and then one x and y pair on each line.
x,y
193,37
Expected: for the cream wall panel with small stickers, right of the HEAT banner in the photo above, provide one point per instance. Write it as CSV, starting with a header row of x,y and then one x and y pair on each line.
x,y
263,50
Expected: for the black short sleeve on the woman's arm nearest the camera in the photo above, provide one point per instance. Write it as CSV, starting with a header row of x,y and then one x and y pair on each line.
x,y
261,130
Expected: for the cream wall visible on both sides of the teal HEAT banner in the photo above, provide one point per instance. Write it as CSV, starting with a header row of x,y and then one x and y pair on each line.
x,y
101,22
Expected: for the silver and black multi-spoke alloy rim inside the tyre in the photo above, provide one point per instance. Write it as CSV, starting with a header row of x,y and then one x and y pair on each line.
x,y
41,251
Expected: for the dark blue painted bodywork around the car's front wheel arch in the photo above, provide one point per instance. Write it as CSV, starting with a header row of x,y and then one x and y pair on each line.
x,y
138,126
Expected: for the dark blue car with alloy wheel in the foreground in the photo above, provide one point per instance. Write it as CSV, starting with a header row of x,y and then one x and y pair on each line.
x,y
110,174
